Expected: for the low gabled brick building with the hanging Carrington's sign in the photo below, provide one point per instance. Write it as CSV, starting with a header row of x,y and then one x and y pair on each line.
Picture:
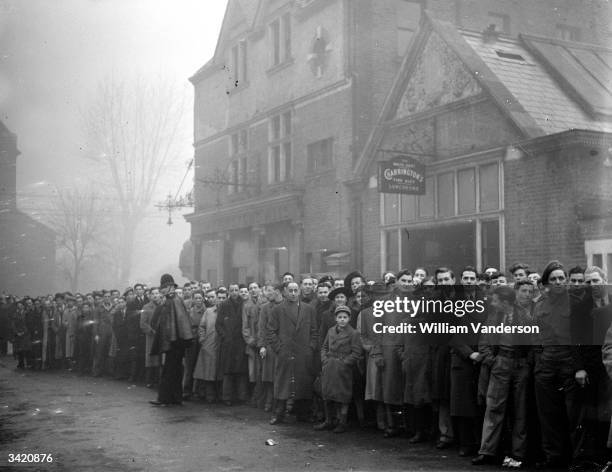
x,y
515,138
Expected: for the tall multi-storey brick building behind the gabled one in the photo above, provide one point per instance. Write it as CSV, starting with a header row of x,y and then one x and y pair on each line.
x,y
284,111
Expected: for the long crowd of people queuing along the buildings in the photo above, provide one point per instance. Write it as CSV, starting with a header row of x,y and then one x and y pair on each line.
x,y
312,349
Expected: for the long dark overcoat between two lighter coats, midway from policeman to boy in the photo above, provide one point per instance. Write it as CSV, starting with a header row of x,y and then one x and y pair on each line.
x,y
232,348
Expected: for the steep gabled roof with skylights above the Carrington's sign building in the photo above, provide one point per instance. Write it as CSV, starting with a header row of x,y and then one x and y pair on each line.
x,y
524,77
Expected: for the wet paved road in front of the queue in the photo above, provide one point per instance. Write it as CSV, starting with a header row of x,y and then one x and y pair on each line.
x,y
101,424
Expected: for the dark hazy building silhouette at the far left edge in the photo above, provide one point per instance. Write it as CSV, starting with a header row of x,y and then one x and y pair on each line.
x,y
27,247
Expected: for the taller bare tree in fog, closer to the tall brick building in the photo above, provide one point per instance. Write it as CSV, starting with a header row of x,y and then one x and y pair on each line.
x,y
135,130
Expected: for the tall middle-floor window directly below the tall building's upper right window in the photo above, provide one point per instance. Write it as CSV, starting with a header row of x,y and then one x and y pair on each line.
x,y
280,162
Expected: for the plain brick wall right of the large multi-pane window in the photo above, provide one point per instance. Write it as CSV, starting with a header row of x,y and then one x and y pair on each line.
x,y
541,197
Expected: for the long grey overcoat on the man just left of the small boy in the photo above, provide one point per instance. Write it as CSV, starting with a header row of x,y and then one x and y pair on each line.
x,y
292,334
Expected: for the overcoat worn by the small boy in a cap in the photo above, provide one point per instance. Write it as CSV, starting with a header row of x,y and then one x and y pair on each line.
x,y
340,352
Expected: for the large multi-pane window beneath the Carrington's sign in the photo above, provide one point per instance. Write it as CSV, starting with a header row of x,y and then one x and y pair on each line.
x,y
426,230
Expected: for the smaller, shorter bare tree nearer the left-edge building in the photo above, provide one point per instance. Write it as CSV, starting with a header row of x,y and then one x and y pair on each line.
x,y
78,221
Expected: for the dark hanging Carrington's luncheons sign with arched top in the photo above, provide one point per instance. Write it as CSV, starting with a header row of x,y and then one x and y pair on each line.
x,y
401,174
